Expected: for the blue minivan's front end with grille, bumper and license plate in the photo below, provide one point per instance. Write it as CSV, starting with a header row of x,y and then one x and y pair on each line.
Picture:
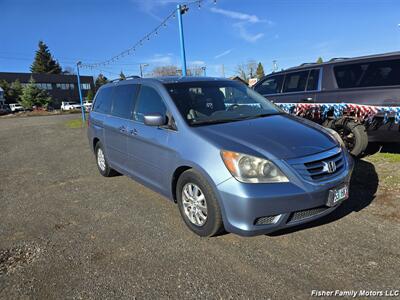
x,y
303,190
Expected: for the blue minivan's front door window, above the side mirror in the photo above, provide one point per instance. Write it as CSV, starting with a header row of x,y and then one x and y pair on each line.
x,y
149,101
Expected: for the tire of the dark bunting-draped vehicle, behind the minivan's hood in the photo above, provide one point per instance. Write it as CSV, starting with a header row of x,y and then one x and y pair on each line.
x,y
353,134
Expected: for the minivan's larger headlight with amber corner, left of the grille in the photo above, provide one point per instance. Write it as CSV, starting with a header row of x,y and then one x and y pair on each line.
x,y
247,168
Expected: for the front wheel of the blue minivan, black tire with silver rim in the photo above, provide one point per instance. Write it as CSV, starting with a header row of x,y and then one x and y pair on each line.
x,y
208,207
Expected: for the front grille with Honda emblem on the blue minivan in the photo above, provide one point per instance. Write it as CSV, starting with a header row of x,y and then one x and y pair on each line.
x,y
316,167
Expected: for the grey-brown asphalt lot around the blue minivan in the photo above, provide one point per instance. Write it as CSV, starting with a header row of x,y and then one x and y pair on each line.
x,y
67,232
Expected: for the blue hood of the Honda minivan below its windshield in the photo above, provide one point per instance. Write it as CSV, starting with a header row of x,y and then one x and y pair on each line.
x,y
282,136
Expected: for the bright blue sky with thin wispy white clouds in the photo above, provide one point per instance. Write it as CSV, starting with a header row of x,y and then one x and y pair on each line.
x,y
229,32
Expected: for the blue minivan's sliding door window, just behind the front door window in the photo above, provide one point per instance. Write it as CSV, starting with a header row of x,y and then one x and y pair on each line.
x,y
123,100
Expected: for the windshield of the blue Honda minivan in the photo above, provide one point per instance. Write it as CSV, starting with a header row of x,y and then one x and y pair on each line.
x,y
210,102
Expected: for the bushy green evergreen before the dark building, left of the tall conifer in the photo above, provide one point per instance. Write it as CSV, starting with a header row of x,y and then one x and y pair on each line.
x,y
34,96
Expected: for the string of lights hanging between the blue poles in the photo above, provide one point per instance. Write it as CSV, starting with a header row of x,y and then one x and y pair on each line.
x,y
154,32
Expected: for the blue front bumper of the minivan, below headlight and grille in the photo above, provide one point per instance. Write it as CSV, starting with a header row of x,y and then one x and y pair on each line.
x,y
253,209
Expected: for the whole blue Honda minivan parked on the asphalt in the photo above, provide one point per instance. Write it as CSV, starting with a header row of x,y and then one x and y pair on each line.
x,y
227,156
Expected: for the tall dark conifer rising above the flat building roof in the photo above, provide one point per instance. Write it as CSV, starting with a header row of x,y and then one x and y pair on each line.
x,y
44,61
